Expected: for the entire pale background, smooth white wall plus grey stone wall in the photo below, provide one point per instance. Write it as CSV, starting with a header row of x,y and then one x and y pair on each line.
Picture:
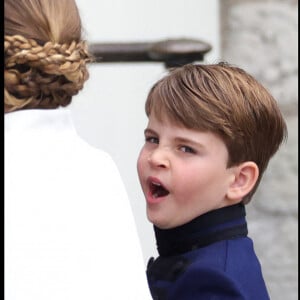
x,y
260,36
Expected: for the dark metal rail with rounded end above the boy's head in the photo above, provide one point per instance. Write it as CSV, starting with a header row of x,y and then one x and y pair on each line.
x,y
172,52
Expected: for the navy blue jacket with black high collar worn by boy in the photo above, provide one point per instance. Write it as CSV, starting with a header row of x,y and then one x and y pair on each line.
x,y
210,258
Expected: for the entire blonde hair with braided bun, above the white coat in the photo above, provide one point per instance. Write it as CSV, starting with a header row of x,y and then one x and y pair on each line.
x,y
45,65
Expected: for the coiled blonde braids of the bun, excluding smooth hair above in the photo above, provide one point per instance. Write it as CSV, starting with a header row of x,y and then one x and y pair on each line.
x,y
42,76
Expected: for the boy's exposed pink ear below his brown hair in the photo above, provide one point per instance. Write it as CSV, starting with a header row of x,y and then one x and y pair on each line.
x,y
245,177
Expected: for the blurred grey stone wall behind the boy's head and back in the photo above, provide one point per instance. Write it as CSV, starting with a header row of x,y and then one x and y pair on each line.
x,y
262,37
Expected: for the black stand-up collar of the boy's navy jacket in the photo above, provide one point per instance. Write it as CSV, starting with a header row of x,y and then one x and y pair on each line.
x,y
220,224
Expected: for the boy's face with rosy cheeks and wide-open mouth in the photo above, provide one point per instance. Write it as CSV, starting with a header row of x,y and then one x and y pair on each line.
x,y
182,172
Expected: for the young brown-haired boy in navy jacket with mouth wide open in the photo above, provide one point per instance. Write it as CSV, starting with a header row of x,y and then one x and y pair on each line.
x,y
212,130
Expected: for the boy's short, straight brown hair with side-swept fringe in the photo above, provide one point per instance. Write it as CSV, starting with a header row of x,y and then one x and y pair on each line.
x,y
227,101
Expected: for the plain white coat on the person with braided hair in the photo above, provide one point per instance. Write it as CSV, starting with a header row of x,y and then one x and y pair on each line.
x,y
69,229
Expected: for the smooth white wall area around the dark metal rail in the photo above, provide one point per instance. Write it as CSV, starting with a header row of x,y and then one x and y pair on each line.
x,y
109,112
